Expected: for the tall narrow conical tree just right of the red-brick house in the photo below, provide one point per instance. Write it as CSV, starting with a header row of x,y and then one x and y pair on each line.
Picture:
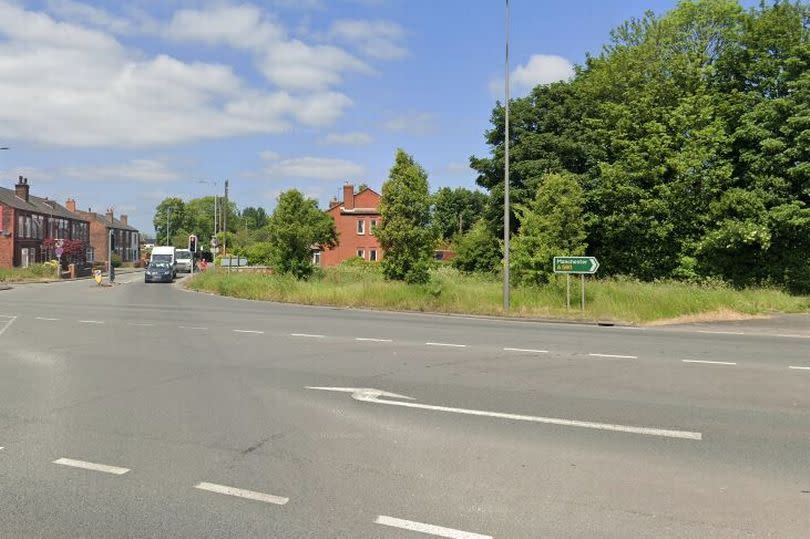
x,y
405,233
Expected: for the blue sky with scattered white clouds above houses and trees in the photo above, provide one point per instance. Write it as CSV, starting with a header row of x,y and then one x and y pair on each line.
x,y
121,104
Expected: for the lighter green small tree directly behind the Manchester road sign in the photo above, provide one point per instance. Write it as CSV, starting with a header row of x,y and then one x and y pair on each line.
x,y
551,225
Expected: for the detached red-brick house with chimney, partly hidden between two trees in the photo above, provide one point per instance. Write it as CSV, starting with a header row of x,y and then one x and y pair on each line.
x,y
355,218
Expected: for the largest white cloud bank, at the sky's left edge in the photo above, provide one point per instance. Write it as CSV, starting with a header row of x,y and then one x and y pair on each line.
x,y
67,85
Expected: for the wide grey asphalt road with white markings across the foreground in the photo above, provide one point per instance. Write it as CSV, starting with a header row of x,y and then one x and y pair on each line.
x,y
147,410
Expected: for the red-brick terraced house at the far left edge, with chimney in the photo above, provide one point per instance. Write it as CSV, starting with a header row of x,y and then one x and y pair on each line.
x,y
27,221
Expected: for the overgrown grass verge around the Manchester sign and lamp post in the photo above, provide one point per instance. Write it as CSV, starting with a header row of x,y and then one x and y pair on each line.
x,y
450,291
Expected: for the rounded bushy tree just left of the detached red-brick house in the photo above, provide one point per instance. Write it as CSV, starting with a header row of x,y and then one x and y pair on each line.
x,y
295,227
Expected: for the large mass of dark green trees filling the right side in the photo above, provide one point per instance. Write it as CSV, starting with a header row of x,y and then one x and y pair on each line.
x,y
690,133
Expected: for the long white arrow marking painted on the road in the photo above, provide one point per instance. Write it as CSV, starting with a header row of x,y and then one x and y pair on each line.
x,y
373,396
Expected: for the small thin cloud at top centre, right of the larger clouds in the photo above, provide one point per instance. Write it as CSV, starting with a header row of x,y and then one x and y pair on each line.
x,y
378,39
